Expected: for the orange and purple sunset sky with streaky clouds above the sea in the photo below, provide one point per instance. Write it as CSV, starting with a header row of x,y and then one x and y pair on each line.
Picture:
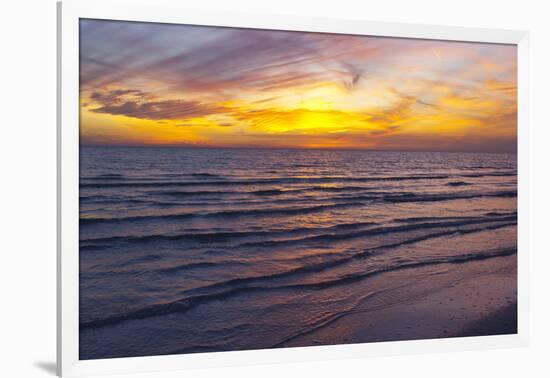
x,y
176,85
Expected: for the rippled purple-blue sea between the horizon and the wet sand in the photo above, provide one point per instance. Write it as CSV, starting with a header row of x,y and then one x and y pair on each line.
x,y
197,250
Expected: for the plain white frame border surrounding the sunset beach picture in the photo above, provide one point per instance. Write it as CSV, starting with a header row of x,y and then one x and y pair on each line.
x,y
169,11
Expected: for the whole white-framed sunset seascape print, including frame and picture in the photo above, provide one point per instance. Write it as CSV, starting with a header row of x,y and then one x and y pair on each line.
x,y
238,189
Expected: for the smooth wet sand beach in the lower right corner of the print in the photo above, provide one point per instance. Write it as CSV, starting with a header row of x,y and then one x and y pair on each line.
x,y
471,299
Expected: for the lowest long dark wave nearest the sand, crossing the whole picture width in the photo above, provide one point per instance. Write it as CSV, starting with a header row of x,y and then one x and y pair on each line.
x,y
190,302
